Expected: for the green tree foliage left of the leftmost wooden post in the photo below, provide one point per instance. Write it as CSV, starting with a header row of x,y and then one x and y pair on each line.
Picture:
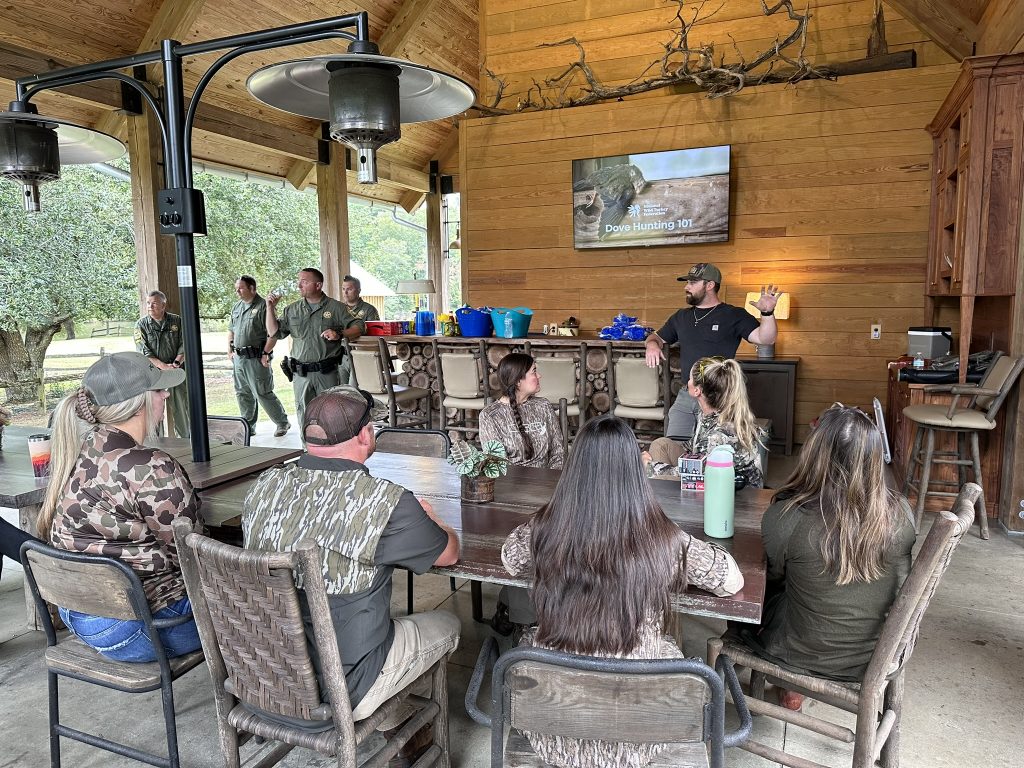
x,y
76,258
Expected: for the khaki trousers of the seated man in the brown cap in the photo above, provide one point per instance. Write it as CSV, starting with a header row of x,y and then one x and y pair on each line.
x,y
419,642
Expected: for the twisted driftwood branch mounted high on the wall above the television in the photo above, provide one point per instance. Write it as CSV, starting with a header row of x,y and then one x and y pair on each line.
x,y
680,64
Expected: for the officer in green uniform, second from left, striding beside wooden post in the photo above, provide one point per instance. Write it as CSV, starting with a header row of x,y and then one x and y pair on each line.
x,y
251,351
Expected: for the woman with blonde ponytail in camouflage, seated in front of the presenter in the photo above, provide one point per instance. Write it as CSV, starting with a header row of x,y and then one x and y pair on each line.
x,y
720,390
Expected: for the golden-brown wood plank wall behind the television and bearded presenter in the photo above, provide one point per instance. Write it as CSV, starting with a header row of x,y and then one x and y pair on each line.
x,y
830,189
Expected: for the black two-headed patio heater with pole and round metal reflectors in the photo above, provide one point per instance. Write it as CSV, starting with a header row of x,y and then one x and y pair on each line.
x,y
363,96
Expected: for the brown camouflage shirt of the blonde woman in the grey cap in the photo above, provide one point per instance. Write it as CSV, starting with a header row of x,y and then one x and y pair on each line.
x,y
120,502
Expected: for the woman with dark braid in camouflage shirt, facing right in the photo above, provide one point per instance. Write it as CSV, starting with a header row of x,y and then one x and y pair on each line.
x,y
520,420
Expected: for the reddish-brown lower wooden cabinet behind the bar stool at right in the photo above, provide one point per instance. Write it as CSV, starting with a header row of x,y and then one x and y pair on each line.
x,y
902,433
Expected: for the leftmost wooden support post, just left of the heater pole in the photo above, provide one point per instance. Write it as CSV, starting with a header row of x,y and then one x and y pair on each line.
x,y
154,252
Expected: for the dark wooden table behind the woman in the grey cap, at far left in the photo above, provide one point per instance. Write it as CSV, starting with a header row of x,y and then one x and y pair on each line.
x,y
21,491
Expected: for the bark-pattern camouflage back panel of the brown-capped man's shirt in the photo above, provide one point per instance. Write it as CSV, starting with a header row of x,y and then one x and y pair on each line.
x,y
344,513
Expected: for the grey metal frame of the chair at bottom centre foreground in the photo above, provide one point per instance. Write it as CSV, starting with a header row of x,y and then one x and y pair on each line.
x,y
716,738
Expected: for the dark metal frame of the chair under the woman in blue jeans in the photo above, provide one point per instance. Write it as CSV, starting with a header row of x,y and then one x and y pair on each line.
x,y
141,607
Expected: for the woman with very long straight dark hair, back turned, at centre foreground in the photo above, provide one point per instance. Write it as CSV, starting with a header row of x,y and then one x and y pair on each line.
x,y
606,560
